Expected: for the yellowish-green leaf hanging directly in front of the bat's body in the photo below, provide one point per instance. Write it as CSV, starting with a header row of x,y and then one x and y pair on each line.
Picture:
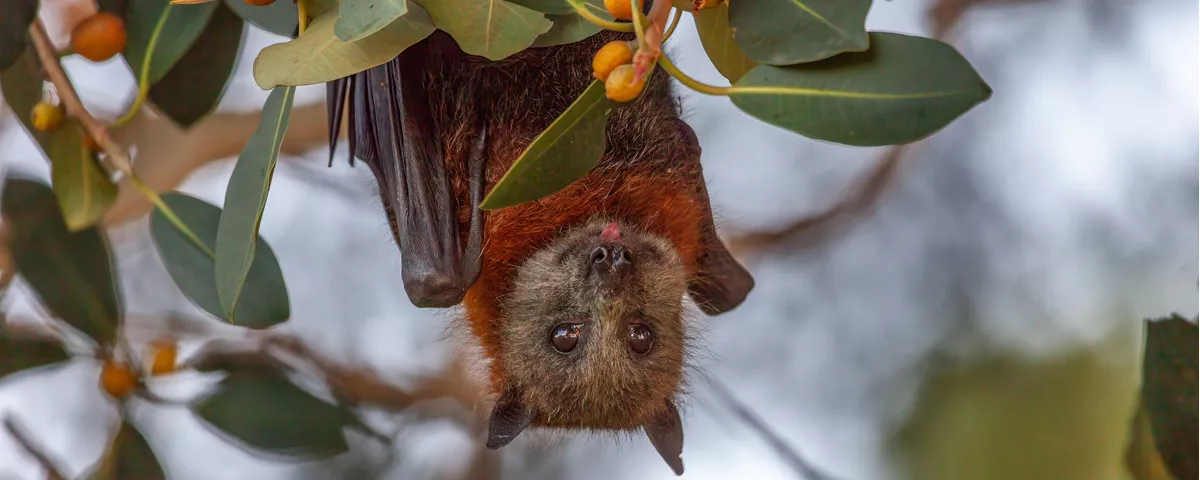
x,y
562,154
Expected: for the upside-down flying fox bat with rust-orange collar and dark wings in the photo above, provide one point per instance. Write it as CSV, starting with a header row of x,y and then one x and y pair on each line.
x,y
577,298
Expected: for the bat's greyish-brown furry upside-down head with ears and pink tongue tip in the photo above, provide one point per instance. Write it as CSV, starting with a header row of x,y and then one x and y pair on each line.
x,y
593,337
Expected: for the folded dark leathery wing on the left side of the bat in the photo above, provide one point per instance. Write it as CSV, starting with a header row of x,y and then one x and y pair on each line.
x,y
392,129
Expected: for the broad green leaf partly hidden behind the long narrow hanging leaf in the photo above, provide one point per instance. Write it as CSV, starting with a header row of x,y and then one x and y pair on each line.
x,y
266,296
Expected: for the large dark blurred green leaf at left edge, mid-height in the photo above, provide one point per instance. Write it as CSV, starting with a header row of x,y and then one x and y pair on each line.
x,y
70,272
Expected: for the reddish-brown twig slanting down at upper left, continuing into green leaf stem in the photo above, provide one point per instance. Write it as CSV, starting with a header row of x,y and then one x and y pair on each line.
x,y
116,158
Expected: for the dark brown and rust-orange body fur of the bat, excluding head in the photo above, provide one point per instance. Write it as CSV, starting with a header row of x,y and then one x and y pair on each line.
x,y
650,175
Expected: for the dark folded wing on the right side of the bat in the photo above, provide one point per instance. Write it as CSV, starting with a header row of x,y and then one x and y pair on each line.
x,y
722,284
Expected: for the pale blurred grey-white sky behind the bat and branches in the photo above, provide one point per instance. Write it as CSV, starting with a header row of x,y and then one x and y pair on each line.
x,y
1061,209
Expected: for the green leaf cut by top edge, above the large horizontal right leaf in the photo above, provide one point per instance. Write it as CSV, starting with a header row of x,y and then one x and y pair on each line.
x,y
796,32
